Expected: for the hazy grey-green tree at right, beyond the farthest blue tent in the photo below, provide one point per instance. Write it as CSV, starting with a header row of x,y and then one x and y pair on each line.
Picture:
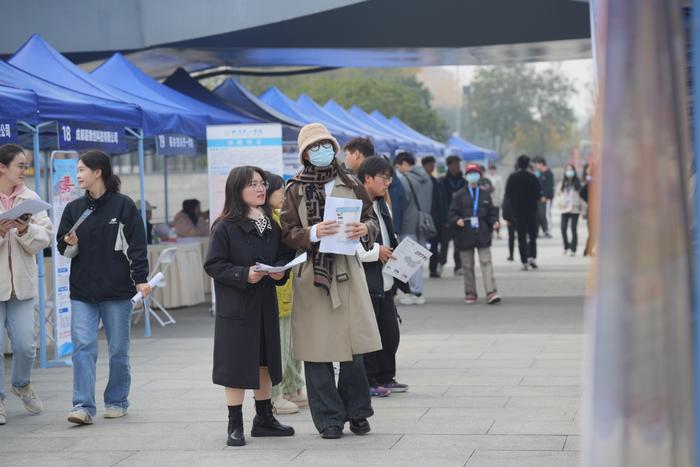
x,y
516,105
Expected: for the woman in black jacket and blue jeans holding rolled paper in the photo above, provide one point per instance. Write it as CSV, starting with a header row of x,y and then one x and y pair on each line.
x,y
109,266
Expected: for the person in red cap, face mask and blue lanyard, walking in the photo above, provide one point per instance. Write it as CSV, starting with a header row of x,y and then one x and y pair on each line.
x,y
474,218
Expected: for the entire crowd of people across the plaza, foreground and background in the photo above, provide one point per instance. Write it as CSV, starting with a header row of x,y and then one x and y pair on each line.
x,y
279,333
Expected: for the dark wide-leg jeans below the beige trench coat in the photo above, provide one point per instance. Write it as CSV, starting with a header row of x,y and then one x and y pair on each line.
x,y
333,405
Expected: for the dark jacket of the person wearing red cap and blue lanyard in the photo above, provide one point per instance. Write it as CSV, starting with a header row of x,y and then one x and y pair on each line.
x,y
462,207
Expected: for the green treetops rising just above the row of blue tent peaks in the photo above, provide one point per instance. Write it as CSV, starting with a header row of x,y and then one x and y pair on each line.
x,y
392,92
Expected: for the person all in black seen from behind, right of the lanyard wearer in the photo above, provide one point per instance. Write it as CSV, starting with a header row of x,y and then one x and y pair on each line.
x,y
523,192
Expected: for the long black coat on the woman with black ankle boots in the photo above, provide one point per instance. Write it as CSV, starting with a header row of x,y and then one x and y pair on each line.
x,y
246,331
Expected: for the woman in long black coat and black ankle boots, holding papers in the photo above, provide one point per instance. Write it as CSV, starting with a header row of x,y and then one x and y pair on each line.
x,y
246,333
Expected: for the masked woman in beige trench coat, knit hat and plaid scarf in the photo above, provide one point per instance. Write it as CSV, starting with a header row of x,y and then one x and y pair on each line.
x,y
332,316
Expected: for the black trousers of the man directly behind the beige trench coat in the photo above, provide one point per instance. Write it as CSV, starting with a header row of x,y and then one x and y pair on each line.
x,y
381,365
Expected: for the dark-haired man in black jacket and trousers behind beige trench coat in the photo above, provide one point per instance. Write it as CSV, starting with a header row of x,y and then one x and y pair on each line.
x,y
376,173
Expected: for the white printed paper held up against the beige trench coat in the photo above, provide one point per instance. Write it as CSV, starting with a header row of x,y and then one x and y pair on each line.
x,y
343,211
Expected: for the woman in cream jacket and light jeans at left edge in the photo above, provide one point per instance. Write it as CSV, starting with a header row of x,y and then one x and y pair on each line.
x,y
20,240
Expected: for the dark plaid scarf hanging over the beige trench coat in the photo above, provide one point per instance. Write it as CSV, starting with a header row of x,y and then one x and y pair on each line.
x,y
314,180
